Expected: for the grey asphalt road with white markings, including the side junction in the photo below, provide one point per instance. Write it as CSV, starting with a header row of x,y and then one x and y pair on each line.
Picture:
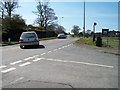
x,y
58,63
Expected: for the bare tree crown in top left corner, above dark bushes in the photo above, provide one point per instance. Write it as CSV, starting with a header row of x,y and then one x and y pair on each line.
x,y
8,6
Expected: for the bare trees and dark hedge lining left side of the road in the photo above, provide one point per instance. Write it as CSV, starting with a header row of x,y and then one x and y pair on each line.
x,y
13,24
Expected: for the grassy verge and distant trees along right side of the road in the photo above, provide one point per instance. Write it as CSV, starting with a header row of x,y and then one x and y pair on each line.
x,y
111,40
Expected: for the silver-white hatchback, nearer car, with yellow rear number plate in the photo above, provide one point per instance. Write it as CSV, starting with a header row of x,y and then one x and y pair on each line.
x,y
29,38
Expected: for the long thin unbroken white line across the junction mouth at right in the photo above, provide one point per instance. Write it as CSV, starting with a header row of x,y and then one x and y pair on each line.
x,y
100,65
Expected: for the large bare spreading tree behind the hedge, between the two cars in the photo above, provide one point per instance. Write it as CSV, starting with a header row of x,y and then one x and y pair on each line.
x,y
46,15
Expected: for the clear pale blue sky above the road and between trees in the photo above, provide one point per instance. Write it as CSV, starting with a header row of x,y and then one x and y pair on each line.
x,y
70,13
